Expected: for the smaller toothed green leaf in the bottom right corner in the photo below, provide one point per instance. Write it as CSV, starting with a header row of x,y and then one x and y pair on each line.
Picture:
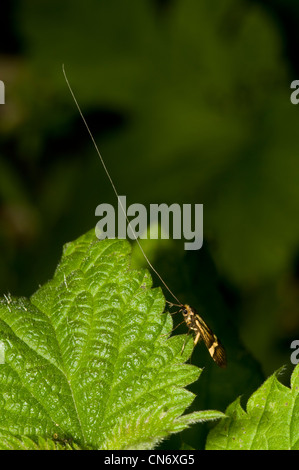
x,y
271,420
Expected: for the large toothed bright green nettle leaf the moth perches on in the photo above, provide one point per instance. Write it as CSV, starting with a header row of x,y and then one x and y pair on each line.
x,y
88,362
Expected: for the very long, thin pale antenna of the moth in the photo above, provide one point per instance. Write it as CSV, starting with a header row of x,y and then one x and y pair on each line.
x,y
114,188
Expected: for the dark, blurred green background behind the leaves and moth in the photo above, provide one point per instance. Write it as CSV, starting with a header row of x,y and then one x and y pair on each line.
x,y
189,102
